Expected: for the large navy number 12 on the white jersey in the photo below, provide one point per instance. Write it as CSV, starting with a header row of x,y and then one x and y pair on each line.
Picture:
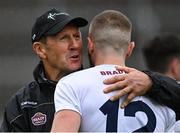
x,y
111,109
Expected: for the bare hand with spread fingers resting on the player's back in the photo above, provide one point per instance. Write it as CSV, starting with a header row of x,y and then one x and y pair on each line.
x,y
133,83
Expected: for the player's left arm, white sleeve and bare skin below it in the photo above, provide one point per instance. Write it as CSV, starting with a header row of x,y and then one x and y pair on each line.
x,y
68,115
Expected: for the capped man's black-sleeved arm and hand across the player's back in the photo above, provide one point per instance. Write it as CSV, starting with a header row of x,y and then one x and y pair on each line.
x,y
160,88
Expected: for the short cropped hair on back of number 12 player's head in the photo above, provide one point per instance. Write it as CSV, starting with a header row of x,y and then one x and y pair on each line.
x,y
111,29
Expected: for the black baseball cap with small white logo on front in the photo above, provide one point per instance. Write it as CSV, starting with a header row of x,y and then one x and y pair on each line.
x,y
52,22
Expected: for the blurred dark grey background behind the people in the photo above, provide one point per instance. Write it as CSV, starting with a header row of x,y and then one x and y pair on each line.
x,y
17,60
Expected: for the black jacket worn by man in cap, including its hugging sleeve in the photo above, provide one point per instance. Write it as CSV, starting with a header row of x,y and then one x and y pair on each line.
x,y
31,109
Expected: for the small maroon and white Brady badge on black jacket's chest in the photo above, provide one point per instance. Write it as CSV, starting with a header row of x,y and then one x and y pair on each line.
x,y
38,119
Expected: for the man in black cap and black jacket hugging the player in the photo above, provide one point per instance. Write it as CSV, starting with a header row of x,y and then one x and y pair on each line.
x,y
57,41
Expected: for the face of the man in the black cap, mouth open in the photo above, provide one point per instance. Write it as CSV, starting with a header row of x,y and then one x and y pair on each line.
x,y
64,51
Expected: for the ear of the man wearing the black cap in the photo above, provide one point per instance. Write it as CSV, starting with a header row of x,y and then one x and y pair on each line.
x,y
39,49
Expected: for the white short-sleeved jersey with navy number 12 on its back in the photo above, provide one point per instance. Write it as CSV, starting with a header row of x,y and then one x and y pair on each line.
x,y
83,92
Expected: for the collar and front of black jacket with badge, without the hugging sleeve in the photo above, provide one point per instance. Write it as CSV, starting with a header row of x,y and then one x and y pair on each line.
x,y
31,109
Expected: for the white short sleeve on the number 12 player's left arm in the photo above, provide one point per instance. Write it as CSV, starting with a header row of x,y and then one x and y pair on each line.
x,y
65,97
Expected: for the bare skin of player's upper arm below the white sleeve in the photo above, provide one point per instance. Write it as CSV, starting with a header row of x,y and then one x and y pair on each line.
x,y
66,121
